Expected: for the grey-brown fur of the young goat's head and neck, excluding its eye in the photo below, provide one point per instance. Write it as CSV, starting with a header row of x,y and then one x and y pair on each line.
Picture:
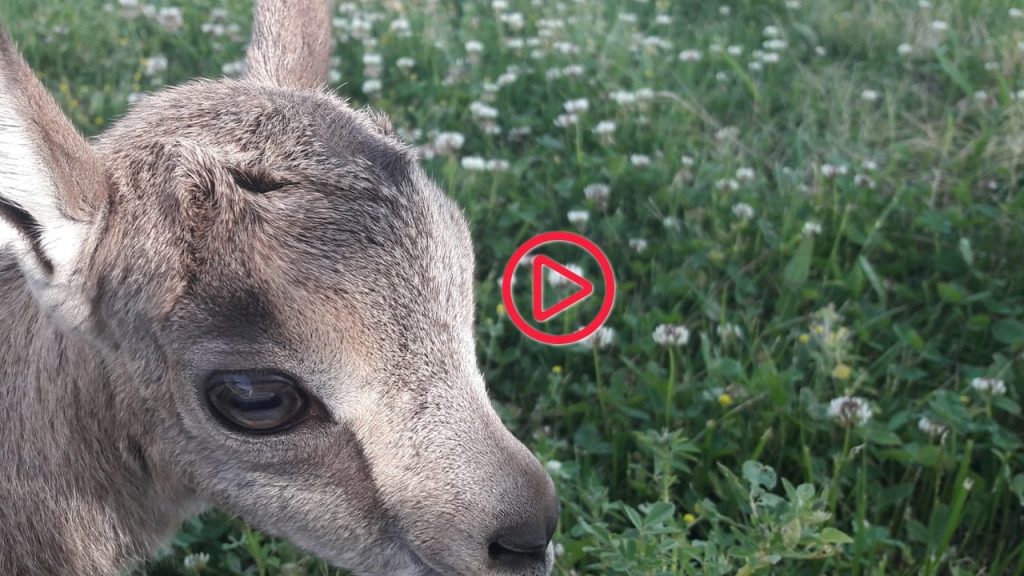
x,y
133,268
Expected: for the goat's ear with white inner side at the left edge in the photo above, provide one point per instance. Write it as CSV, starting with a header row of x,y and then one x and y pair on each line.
x,y
53,185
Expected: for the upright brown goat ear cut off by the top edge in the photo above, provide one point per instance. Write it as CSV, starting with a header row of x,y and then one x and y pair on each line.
x,y
291,44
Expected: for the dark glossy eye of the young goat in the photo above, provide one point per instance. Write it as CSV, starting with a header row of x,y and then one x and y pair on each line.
x,y
257,403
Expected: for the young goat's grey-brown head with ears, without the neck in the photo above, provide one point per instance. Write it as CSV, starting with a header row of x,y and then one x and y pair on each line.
x,y
285,303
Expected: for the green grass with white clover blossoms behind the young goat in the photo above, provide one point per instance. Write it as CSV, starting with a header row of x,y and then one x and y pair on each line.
x,y
818,199
